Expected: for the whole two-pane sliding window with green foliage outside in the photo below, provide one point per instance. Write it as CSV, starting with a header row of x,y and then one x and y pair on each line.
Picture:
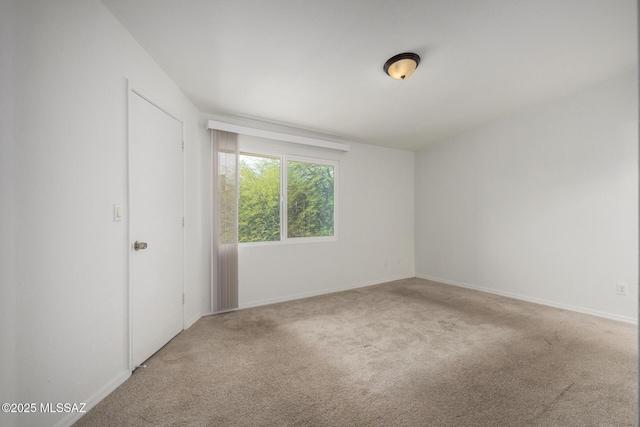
x,y
283,198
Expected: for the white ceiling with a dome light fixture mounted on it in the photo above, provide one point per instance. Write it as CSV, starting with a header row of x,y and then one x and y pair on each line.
x,y
317,65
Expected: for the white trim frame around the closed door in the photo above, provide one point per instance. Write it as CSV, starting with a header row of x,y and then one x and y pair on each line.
x,y
134,89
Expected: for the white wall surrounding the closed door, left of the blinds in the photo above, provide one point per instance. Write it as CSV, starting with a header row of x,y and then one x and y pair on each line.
x,y
69,168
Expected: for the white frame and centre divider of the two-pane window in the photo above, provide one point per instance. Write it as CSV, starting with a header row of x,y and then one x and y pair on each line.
x,y
284,202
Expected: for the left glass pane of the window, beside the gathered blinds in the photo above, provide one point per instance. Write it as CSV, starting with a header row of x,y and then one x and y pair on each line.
x,y
259,204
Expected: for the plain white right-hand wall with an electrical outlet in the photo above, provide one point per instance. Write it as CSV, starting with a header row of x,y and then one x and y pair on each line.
x,y
542,204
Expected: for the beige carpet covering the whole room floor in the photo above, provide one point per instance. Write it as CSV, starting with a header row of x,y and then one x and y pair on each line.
x,y
406,353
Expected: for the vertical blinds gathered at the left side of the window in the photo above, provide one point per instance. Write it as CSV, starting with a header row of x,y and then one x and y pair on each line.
x,y
225,220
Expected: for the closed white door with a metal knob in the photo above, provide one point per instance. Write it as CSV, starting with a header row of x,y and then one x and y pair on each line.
x,y
156,210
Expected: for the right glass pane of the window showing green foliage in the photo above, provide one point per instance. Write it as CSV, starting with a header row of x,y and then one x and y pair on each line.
x,y
310,199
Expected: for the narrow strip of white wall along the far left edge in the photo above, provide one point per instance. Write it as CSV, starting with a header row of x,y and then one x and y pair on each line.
x,y
7,211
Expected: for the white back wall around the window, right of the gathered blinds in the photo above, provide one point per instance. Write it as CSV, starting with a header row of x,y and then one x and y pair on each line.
x,y
375,226
